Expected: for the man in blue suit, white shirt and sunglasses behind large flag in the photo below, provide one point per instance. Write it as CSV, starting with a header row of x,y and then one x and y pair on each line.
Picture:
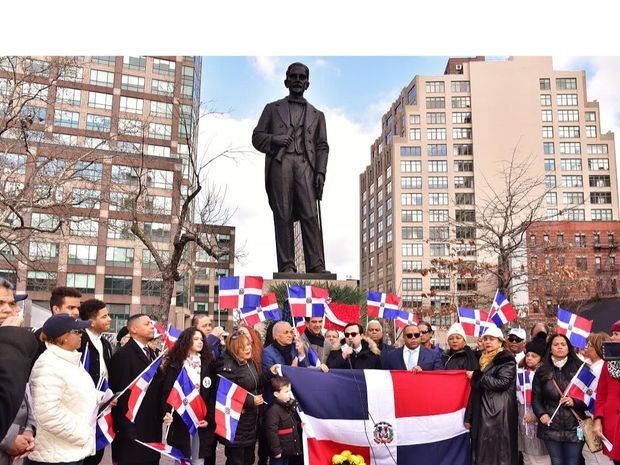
x,y
412,356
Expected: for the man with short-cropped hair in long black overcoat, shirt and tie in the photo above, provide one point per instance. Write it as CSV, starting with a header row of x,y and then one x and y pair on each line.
x,y
127,363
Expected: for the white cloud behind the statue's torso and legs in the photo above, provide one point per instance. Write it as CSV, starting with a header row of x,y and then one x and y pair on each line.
x,y
244,182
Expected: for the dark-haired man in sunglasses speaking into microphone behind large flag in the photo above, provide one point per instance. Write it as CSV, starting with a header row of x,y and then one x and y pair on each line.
x,y
357,352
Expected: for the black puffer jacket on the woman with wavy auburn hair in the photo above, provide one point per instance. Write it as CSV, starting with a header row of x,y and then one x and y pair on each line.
x,y
245,375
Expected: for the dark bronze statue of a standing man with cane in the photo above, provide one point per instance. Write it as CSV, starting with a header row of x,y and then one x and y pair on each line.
x,y
292,135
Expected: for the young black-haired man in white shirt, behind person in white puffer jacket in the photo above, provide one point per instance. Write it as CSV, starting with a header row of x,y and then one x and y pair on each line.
x,y
96,350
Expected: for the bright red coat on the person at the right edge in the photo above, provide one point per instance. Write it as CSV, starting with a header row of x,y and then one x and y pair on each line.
x,y
607,408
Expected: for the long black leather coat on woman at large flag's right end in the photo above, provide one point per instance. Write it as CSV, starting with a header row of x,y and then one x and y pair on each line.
x,y
492,413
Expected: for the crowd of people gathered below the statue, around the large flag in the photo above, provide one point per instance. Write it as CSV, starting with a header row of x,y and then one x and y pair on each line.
x,y
50,386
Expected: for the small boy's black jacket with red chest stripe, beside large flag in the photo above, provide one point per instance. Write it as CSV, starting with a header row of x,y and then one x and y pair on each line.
x,y
283,429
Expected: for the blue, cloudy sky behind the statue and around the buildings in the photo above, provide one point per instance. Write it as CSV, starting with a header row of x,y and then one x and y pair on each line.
x,y
353,92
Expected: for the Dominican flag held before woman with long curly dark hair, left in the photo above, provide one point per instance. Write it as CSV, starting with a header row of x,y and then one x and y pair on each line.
x,y
185,398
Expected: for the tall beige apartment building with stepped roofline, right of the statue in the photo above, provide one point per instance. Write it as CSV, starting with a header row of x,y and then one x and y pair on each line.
x,y
442,144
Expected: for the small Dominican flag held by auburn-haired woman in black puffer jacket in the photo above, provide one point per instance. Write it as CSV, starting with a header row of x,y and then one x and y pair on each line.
x,y
228,407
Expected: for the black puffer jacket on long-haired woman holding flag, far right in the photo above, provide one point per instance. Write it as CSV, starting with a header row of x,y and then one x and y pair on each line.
x,y
545,399
